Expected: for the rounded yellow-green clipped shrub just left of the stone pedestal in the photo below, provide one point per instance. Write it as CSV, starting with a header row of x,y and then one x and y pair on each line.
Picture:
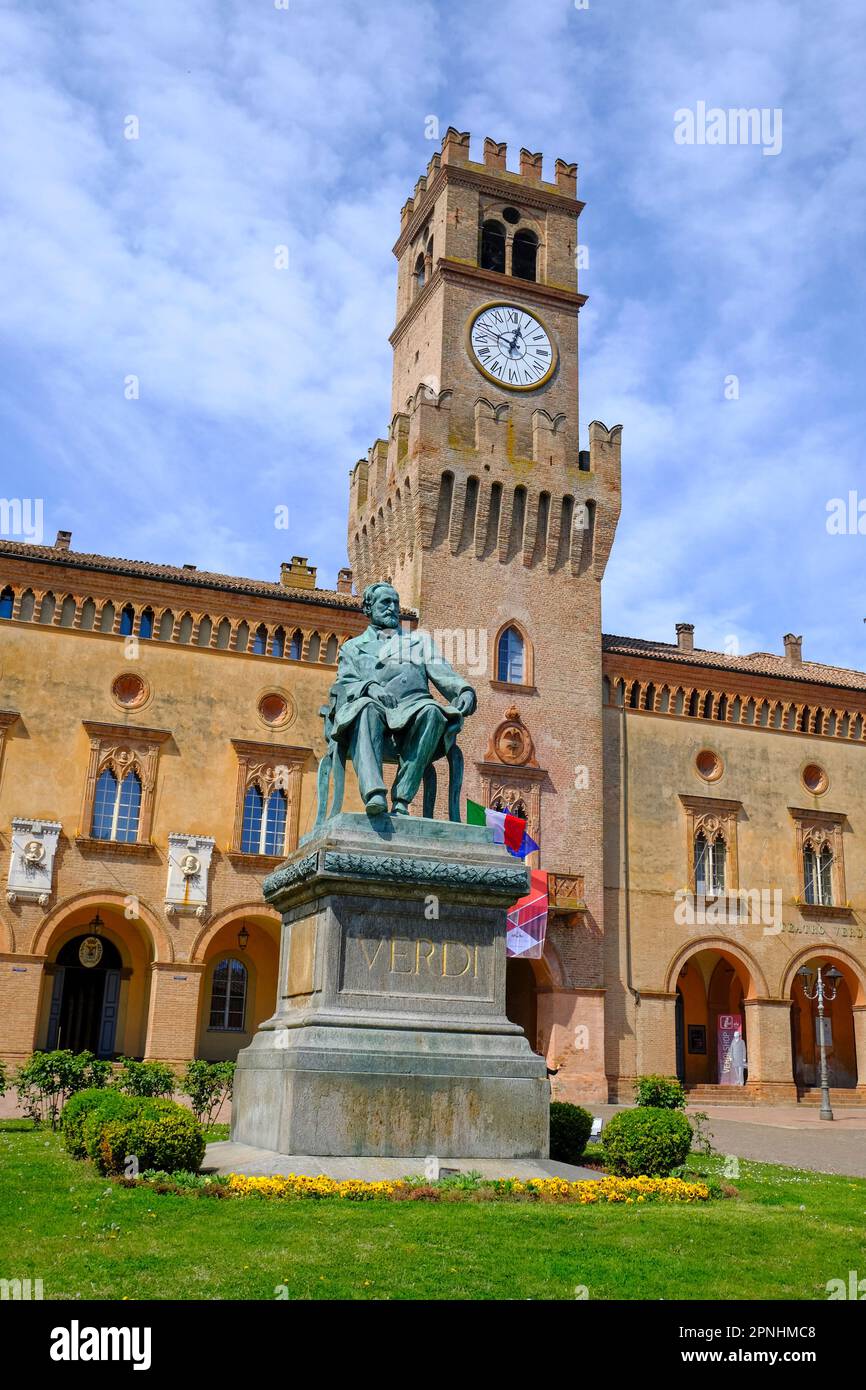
x,y
158,1135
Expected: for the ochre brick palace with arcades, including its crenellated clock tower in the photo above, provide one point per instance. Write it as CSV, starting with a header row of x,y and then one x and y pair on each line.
x,y
701,817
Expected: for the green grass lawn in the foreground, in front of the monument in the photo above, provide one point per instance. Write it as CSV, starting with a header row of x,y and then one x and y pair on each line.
x,y
85,1238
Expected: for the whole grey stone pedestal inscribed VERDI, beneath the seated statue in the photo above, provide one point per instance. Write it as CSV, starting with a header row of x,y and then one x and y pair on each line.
x,y
390,1036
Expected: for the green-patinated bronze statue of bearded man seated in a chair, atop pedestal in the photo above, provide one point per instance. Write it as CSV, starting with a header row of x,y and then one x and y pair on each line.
x,y
383,711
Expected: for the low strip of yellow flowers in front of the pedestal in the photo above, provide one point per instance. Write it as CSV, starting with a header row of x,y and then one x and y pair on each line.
x,y
628,1191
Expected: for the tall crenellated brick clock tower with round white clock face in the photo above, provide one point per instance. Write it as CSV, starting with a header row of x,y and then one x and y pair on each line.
x,y
496,526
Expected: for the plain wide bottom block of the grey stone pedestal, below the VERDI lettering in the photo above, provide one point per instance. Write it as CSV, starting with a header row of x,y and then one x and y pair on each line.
x,y
391,1093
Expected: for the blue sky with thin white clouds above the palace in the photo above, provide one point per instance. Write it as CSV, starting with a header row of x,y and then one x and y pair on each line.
x,y
305,127
